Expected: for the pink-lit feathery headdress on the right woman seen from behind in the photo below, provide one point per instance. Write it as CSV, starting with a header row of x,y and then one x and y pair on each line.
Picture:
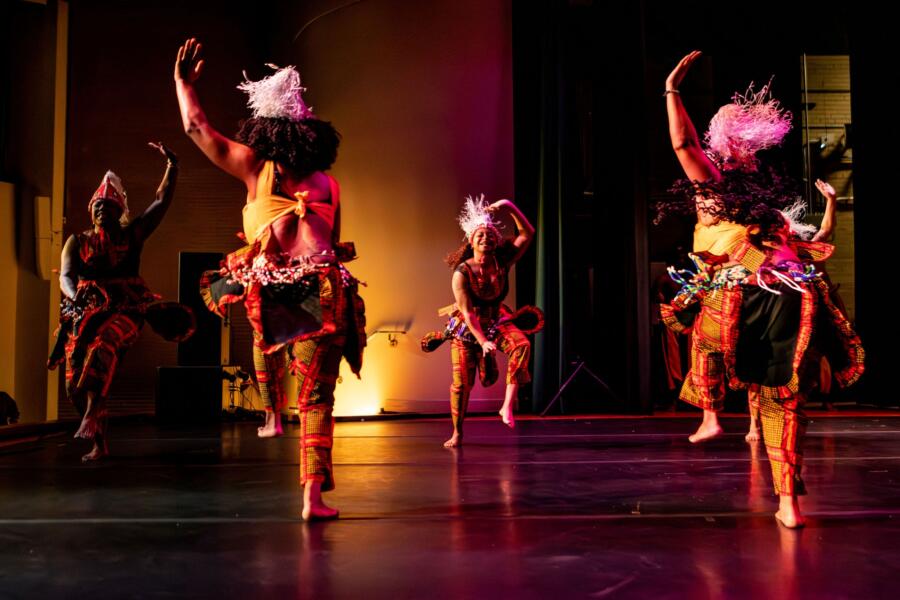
x,y
752,122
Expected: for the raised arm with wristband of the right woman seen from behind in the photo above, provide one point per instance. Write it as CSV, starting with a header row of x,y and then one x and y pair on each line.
x,y
685,141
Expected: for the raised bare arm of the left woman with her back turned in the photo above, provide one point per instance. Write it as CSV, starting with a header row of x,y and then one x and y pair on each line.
x,y
235,159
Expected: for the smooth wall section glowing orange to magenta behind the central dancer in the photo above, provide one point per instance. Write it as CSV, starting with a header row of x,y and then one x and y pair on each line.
x,y
422,94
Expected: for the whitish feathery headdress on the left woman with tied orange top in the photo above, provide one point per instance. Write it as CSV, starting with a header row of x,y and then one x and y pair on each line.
x,y
278,96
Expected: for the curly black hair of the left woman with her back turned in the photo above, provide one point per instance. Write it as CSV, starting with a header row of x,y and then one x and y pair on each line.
x,y
304,146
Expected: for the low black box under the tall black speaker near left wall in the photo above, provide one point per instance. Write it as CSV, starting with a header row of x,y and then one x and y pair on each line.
x,y
188,395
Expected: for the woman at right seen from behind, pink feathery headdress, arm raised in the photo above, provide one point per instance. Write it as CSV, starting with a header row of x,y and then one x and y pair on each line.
x,y
753,303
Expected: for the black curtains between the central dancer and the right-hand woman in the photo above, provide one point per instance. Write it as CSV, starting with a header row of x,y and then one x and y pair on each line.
x,y
580,161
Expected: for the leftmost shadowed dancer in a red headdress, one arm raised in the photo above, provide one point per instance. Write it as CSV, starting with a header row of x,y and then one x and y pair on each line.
x,y
105,300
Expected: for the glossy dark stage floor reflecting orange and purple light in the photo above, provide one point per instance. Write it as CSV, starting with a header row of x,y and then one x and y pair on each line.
x,y
562,508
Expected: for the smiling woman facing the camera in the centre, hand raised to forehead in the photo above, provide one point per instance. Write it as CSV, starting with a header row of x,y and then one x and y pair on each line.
x,y
480,283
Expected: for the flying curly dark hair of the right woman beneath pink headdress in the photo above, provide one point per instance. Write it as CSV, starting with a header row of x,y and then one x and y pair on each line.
x,y
743,197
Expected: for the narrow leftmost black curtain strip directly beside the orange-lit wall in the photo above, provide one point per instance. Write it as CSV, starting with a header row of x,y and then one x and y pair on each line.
x,y
539,103
